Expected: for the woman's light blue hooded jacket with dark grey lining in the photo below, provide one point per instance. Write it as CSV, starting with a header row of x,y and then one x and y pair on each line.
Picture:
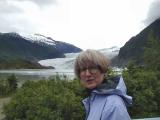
x,y
108,101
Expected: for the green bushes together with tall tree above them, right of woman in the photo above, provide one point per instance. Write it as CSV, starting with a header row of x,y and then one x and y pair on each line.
x,y
143,81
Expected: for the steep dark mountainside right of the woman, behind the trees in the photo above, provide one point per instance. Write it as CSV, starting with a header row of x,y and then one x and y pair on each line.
x,y
133,50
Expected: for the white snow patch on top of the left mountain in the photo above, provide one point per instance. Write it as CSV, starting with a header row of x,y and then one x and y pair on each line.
x,y
38,38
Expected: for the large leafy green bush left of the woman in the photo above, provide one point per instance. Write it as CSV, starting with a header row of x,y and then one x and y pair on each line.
x,y
54,99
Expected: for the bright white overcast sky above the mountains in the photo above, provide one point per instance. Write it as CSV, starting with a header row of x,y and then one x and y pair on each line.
x,y
87,24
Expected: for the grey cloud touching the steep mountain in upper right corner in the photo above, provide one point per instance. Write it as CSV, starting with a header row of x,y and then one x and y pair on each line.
x,y
153,13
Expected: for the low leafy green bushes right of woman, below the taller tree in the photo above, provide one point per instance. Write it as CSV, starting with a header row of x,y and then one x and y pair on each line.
x,y
143,86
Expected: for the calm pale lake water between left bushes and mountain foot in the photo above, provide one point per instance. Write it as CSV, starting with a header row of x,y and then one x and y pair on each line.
x,y
36,74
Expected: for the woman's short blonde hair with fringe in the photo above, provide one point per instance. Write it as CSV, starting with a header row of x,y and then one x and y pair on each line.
x,y
93,57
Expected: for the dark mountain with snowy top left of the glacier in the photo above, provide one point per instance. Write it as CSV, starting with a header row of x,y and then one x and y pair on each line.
x,y
14,46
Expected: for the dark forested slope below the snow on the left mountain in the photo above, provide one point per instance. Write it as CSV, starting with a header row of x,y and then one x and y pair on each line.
x,y
15,46
